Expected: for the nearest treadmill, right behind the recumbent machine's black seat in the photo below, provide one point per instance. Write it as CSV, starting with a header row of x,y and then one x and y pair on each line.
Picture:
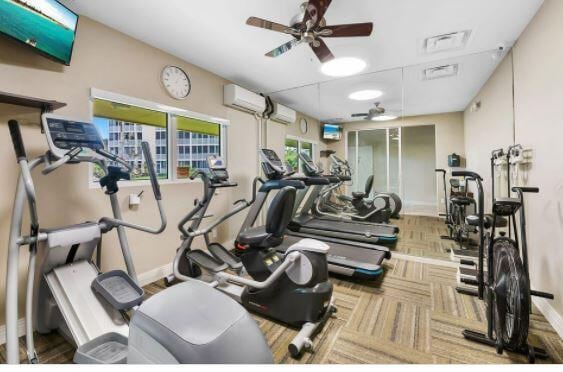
x,y
352,259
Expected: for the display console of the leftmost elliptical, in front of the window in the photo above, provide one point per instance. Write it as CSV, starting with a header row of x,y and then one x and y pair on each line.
x,y
64,135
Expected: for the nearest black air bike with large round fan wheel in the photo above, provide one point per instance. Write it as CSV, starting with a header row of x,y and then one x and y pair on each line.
x,y
506,287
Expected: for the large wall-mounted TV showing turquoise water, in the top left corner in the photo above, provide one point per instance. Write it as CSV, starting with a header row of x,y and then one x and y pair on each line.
x,y
44,25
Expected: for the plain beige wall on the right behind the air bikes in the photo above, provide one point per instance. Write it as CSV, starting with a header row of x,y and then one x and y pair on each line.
x,y
538,115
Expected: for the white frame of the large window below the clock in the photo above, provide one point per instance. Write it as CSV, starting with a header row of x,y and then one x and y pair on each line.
x,y
171,130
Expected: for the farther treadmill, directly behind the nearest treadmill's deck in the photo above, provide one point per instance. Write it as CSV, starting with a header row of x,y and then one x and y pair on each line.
x,y
331,225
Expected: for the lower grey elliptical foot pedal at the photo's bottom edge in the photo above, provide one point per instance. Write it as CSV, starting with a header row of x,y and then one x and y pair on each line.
x,y
110,348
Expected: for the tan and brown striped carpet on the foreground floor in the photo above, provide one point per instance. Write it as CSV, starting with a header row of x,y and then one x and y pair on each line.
x,y
411,315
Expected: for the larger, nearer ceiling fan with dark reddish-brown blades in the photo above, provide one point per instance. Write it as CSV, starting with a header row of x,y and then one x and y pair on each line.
x,y
309,26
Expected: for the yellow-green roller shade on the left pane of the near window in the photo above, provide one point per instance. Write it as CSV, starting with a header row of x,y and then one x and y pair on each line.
x,y
128,113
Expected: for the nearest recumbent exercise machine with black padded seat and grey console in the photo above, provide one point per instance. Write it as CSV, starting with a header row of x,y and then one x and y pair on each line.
x,y
292,288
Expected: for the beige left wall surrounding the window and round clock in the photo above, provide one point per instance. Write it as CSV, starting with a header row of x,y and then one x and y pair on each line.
x,y
106,59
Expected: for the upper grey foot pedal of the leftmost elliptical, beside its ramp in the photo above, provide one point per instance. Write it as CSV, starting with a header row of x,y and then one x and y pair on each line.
x,y
119,289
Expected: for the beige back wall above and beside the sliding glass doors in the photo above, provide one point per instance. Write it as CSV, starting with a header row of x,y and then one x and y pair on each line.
x,y
449,137
